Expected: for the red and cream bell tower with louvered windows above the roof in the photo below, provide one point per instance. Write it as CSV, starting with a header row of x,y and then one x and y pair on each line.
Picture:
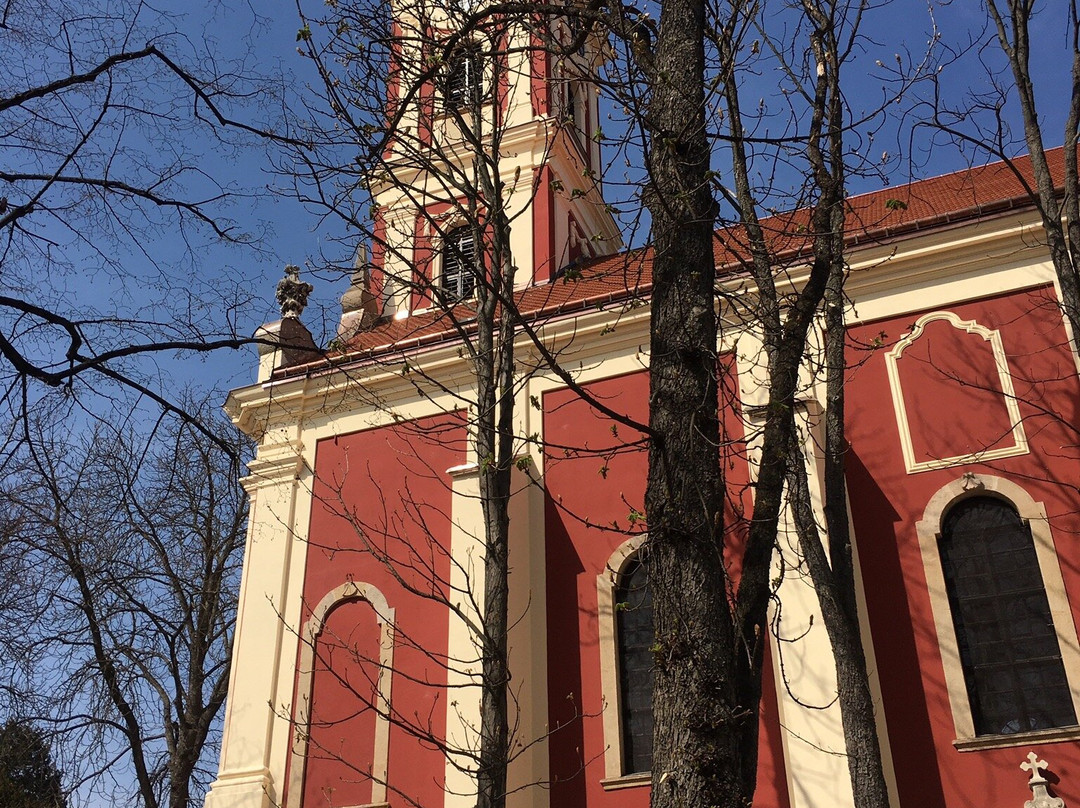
x,y
485,112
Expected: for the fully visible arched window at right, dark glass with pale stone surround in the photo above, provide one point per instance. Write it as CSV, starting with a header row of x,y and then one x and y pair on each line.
x,y
1005,629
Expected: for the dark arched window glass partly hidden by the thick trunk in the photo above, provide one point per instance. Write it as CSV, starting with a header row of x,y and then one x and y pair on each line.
x,y
636,635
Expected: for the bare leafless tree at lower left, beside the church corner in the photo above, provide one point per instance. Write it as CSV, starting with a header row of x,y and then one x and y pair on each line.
x,y
129,558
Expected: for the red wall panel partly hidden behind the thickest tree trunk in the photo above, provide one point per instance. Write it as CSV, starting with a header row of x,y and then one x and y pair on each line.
x,y
596,475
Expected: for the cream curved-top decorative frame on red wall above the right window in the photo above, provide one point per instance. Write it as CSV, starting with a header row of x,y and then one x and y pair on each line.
x,y
992,336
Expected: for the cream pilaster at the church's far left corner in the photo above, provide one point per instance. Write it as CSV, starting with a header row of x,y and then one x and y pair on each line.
x,y
256,740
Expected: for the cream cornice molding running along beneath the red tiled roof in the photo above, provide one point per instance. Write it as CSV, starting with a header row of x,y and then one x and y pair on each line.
x,y
588,336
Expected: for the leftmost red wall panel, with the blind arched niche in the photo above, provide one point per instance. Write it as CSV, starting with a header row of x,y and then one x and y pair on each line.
x,y
381,516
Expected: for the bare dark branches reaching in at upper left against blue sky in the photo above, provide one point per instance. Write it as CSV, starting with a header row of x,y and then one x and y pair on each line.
x,y
114,119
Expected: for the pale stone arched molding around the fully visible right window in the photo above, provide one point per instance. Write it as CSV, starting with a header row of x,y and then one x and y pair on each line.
x,y
929,531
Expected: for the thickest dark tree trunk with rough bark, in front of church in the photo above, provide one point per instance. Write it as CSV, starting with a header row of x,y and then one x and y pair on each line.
x,y
696,757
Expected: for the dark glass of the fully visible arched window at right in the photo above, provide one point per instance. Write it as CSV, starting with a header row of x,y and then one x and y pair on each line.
x,y
1012,664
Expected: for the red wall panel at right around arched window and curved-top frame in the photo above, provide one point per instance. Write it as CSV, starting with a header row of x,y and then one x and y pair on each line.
x,y
887,503
